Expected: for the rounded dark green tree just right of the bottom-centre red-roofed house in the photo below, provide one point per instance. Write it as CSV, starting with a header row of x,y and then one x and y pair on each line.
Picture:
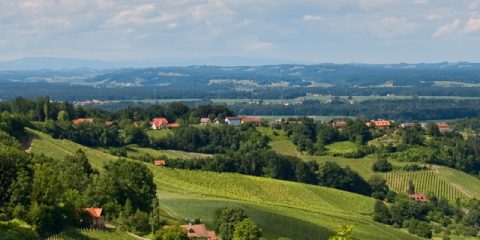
x,y
225,220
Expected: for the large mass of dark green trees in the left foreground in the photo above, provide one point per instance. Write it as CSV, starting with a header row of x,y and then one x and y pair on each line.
x,y
50,194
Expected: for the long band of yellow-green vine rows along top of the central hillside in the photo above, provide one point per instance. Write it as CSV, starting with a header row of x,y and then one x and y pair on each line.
x,y
263,190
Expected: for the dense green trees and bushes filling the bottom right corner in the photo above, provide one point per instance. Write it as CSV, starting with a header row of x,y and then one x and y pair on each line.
x,y
437,215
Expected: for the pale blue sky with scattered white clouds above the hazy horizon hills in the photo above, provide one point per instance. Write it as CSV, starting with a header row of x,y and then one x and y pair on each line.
x,y
315,31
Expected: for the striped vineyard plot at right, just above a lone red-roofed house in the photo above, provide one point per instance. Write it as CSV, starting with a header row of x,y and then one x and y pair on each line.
x,y
425,181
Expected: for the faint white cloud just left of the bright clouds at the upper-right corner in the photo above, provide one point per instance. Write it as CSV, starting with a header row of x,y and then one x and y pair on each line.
x,y
390,27
